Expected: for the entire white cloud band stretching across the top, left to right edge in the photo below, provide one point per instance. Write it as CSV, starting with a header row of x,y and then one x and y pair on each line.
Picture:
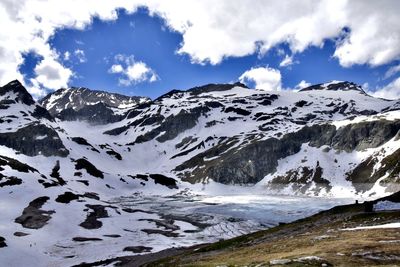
x,y
365,32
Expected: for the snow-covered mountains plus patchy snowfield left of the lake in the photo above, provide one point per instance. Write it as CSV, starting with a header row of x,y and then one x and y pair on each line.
x,y
78,150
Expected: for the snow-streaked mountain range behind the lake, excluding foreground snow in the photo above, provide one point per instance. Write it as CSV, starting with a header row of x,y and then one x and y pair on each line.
x,y
225,133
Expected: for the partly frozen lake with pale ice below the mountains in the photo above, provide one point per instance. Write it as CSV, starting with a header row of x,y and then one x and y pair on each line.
x,y
211,218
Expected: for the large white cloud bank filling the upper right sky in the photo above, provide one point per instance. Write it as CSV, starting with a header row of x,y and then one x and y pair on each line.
x,y
212,31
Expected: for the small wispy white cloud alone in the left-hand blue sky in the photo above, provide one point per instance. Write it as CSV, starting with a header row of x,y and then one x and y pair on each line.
x,y
132,71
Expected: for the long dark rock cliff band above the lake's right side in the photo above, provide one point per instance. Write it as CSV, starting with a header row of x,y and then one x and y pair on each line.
x,y
254,161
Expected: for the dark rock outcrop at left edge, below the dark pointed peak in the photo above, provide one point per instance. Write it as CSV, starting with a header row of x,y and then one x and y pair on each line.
x,y
35,139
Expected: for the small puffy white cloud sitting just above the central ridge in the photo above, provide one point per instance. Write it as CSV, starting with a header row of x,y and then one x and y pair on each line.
x,y
265,78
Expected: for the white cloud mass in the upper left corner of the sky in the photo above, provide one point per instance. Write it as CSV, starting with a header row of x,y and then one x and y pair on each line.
x,y
27,26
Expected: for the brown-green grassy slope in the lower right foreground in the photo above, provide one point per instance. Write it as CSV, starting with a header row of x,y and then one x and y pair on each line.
x,y
318,240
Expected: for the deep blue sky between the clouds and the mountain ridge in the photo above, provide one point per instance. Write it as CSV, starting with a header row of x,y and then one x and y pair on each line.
x,y
90,52
